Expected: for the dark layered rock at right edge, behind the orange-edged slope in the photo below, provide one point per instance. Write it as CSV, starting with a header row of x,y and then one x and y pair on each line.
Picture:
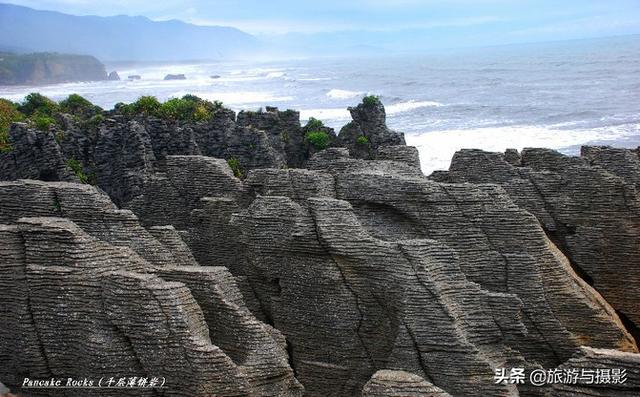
x,y
589,206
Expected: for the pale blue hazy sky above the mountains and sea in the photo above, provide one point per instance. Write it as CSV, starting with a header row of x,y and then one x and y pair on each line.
x,y
460,22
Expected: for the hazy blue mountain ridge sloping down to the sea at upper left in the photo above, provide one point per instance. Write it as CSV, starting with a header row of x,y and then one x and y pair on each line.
x,y
118,38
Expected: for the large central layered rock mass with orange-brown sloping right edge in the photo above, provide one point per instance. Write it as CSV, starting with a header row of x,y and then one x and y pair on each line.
x,y
409,266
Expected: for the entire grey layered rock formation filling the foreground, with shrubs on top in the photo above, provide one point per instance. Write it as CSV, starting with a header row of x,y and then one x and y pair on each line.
x,y
249,255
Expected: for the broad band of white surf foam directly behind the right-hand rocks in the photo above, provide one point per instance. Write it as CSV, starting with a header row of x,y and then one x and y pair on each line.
x,y
437,148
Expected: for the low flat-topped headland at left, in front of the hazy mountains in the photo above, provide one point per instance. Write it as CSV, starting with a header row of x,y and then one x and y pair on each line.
x,y
44,68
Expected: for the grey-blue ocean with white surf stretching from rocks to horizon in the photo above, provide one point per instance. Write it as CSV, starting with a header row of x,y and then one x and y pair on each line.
x,y
557,95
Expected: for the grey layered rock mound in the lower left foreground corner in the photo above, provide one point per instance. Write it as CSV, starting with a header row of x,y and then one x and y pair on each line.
x,y
104,298
